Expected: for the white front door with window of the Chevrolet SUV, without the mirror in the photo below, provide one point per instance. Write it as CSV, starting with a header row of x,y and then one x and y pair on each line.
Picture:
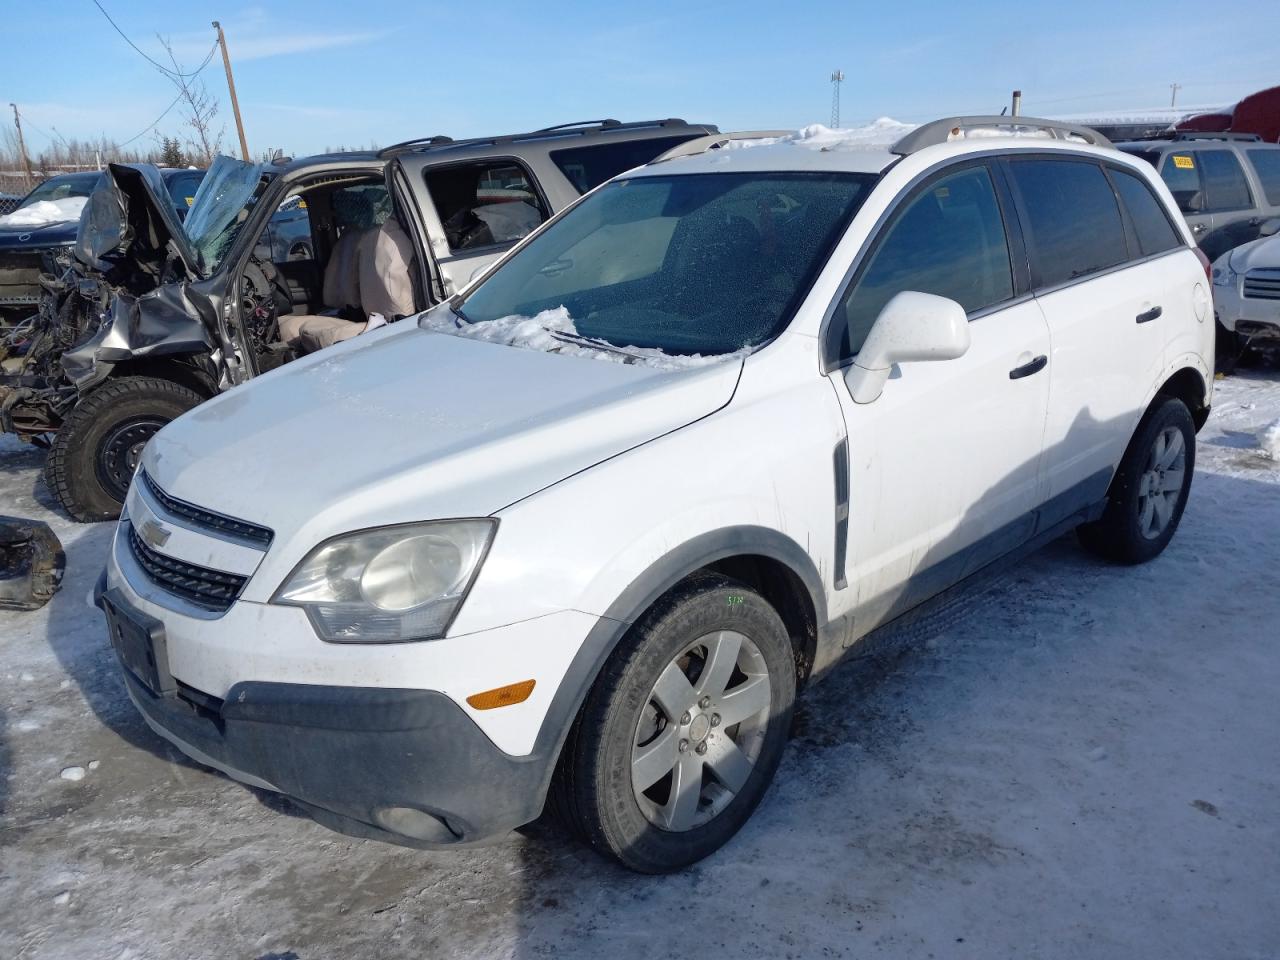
x,y
943,467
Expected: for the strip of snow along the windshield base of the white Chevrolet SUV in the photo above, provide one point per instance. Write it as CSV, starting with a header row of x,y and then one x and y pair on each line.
x,y
554,332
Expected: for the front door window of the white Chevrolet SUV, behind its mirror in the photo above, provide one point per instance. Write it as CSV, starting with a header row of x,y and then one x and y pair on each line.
x,y
948,241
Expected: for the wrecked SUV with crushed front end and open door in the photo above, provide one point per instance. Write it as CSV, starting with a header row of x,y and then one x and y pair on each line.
x,y
158,316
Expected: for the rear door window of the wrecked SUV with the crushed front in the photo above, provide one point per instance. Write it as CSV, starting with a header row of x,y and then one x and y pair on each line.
x,y
482,205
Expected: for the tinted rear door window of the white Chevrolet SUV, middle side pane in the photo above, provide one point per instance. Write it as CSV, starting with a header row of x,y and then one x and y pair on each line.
x,y
1072,217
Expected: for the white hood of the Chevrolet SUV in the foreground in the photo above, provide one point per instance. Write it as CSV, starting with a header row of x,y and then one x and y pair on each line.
x,y
404,424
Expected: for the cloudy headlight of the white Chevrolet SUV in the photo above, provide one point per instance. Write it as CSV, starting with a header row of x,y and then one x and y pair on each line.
x,y
390,584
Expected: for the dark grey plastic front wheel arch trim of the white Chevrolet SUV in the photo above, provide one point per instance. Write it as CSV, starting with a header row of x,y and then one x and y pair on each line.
x,y
767,561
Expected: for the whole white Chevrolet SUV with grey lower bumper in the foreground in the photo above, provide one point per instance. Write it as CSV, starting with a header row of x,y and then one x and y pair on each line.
x,y
586,529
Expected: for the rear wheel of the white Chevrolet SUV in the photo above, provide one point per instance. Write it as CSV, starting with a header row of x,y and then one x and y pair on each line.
x,y
1149,492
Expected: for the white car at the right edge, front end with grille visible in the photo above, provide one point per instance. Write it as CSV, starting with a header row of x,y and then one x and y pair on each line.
x,y
1247,291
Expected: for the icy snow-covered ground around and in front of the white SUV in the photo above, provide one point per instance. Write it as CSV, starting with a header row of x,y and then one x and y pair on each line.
x,y
1068,760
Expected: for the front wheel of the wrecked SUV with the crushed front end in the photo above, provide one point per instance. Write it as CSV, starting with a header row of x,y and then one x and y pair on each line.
x,y
93,456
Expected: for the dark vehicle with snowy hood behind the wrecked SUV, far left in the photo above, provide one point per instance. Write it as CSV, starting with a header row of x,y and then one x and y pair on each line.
x,y
44,226
